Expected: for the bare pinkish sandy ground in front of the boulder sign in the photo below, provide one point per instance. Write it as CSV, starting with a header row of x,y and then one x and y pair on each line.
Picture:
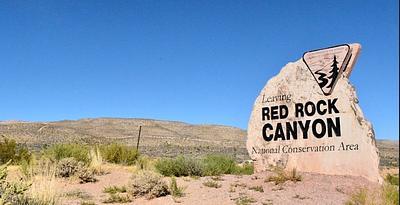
x,y
313,189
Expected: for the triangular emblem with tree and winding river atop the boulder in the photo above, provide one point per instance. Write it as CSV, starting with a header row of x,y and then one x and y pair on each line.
x,y
327,65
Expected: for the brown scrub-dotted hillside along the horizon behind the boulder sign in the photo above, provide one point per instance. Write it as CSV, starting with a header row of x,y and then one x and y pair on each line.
x,y
158,138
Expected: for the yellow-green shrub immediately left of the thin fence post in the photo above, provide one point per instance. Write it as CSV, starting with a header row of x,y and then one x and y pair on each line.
x,y
119,154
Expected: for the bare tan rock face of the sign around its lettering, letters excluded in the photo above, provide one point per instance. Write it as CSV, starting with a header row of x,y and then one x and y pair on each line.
x,y
295,79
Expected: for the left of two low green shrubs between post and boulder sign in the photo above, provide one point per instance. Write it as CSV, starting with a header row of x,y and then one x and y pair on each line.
x,y
179,166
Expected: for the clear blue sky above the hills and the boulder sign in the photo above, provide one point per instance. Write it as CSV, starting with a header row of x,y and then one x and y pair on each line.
x,y
193,61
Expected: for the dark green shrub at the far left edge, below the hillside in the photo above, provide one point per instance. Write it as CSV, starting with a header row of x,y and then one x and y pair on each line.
x,y
10,150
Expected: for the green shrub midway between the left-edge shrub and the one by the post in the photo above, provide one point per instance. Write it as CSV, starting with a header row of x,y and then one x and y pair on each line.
x,y
61,151
